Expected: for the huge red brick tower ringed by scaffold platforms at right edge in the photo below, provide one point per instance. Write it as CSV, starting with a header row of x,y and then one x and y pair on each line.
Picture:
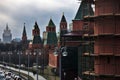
x,y
107,37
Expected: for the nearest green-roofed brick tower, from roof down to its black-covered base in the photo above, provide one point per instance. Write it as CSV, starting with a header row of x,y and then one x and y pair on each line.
x,y
77,44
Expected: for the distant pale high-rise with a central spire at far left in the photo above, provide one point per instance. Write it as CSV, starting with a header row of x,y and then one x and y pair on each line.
x,y
7,36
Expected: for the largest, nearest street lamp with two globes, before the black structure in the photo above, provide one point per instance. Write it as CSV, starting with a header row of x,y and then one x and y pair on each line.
x,y
60,52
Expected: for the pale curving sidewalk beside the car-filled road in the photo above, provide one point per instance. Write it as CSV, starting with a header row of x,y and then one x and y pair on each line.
x,y
26,72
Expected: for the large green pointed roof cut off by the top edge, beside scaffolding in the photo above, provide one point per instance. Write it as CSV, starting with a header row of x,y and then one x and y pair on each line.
x,y
84,10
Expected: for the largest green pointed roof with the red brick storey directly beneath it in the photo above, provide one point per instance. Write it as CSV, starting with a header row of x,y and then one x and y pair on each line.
x,y
85,9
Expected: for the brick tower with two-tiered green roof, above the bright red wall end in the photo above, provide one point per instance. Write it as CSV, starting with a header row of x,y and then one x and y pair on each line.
x,y
50,42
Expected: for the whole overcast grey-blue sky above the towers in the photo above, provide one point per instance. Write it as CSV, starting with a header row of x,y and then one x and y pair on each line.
x,y
18,12
